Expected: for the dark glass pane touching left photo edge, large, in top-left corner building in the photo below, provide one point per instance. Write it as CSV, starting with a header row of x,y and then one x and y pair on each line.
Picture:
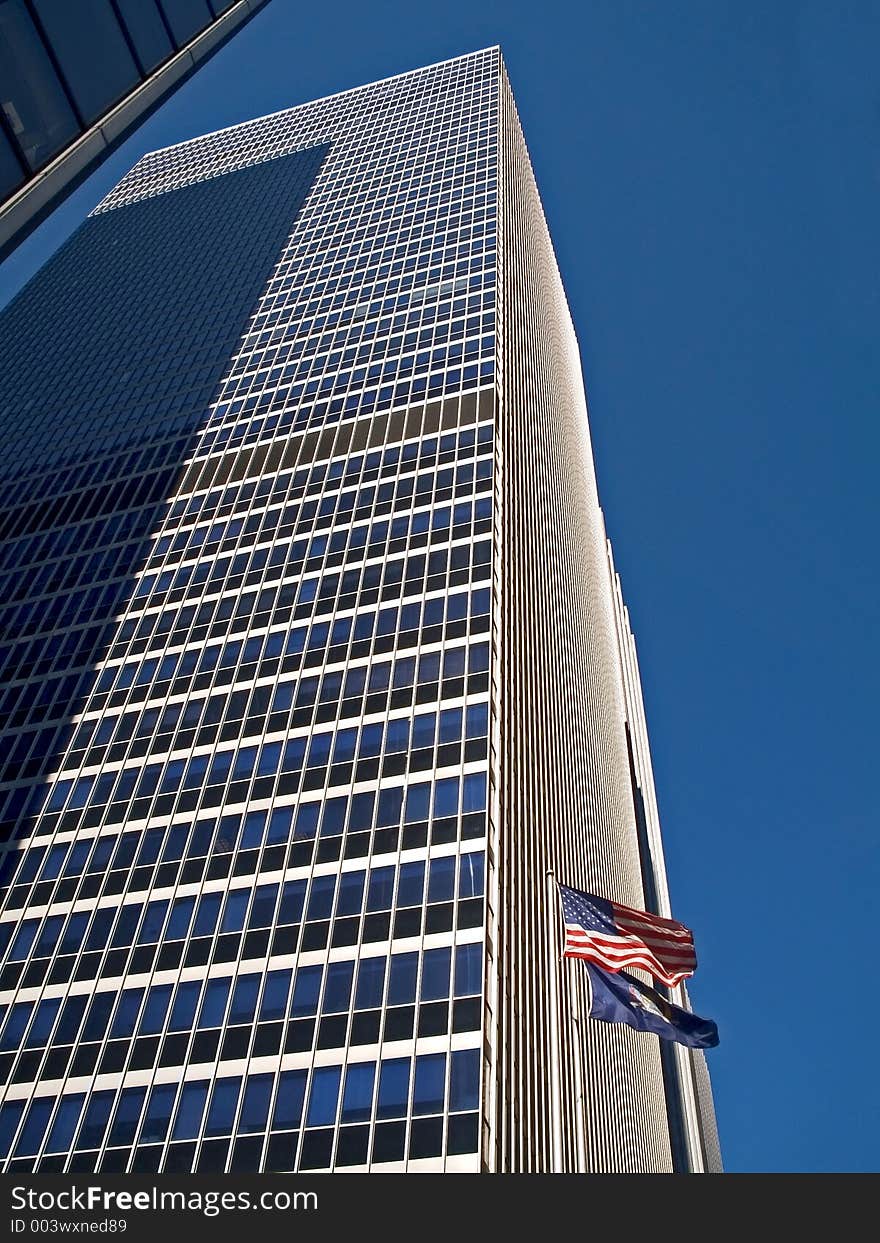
x,y
37,108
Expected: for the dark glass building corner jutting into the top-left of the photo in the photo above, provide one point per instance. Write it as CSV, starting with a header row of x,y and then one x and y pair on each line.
x,y
78,78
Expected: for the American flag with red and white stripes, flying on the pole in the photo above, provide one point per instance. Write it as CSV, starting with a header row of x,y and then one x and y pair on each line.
x,y
617,937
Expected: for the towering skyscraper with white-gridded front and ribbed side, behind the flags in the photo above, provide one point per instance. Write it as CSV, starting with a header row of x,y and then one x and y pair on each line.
x,y
315,662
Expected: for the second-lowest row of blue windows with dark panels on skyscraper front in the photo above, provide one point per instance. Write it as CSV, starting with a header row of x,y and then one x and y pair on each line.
x,y
232,1016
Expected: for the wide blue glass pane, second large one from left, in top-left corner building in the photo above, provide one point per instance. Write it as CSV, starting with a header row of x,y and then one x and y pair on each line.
x,y
91,49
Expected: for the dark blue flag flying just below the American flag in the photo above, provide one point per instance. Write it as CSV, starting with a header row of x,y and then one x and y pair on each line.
x,y
622,999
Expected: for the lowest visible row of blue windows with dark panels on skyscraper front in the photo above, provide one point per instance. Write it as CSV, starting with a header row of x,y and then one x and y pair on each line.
x,y
423,1088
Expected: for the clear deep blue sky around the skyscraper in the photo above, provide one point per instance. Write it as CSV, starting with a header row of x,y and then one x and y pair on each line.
x,y
712,175
